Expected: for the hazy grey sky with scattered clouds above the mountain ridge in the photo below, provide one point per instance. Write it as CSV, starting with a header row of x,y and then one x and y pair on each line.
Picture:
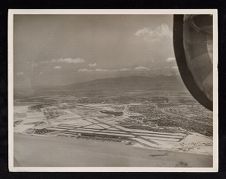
x,y
64,49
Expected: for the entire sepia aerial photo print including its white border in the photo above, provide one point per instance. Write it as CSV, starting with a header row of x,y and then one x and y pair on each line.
x,y
113,90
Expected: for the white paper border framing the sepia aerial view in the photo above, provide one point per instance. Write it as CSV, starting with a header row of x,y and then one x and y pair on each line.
x,y
12,12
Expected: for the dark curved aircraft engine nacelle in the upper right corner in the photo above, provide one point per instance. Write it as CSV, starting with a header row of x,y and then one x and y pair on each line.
x,y
193,47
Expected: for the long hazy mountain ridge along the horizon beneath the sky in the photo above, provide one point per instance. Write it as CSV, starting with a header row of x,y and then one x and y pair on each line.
x,y
119,84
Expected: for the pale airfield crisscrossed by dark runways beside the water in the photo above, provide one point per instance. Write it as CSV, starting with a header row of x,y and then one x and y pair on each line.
x,y
91,122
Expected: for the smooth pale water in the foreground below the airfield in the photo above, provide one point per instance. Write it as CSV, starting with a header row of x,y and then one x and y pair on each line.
x,y
48,151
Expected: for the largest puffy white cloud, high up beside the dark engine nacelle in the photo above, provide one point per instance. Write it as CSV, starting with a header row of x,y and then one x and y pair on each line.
x,y
160,32
